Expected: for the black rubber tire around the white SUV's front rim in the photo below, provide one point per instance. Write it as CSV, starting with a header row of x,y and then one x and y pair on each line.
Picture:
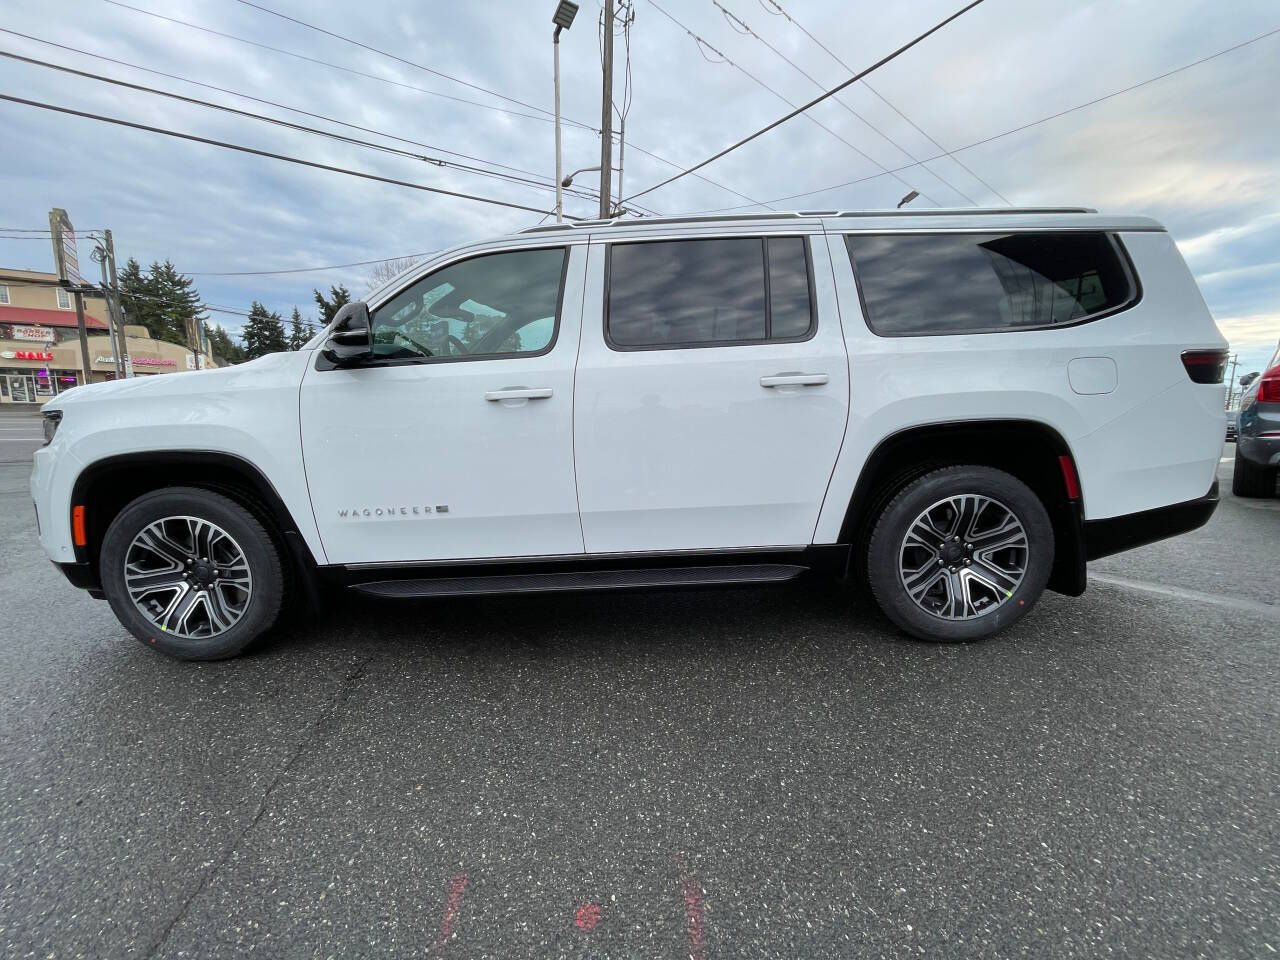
x,y
260,555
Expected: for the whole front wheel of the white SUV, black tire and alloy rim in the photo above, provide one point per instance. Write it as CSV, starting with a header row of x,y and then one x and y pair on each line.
x,y
191,573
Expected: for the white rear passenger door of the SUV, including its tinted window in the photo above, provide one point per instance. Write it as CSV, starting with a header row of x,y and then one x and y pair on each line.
x,y
712,392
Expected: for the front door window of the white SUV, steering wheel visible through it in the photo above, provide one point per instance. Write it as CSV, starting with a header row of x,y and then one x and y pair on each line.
x,y
493,305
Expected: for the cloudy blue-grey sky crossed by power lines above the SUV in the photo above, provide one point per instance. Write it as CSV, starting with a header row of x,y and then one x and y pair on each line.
x,y
1199,150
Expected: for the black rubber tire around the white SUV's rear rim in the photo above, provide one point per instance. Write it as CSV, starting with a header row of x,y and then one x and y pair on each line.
x,y
991,614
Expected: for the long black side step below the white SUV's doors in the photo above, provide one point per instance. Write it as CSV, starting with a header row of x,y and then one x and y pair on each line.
x,y
583,580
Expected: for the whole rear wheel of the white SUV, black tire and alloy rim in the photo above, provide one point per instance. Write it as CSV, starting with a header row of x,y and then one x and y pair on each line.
x,y
961,554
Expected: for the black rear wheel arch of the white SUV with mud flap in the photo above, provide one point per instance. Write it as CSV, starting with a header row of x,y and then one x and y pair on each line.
x,y
1028,450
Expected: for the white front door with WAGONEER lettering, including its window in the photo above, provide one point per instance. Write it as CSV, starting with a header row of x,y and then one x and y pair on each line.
x,y
456,441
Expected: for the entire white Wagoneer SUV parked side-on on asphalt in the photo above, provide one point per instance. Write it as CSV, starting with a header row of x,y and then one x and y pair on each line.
x,y
958,408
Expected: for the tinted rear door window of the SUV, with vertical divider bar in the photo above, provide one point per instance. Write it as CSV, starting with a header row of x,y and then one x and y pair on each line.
x,y
674,294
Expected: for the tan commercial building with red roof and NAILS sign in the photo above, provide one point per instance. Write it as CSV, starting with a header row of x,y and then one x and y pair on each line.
x,y
40,351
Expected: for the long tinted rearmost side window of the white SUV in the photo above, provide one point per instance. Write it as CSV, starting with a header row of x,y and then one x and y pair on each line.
x,y
964,284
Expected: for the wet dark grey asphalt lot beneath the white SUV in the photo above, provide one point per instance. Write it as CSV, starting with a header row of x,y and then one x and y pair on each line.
x,y
674,775
